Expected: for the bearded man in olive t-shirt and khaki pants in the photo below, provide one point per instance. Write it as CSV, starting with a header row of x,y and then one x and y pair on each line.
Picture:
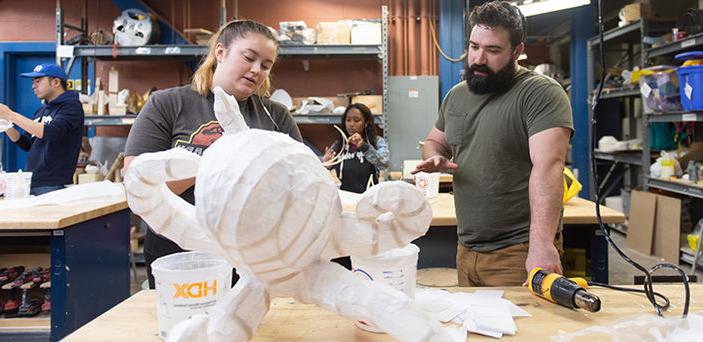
x,y
505,134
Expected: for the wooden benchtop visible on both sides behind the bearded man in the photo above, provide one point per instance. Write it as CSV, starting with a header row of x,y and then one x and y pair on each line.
x,y
576,211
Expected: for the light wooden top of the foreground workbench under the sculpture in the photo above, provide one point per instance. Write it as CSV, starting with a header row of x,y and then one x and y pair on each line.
x,y
136,320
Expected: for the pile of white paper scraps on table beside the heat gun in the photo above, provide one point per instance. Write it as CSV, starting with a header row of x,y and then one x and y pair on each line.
x,y
483,312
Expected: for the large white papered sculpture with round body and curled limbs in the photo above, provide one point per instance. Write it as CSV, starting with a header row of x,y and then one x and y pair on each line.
x,y
266,204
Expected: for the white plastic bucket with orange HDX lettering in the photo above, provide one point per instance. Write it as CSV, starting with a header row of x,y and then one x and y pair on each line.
x,y
187,284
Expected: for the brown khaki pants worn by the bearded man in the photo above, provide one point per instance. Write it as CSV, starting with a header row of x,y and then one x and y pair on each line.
x,y
500,267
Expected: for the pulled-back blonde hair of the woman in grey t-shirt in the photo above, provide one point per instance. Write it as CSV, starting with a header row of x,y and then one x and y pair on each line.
x,y
236,29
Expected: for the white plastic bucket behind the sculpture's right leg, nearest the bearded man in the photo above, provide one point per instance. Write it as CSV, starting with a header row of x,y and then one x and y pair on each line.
x,y
396,267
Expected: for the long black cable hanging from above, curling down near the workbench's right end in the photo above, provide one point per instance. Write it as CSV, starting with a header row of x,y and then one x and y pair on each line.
x,y
648,286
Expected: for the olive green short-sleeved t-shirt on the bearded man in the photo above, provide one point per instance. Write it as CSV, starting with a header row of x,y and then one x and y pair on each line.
x,y
488,135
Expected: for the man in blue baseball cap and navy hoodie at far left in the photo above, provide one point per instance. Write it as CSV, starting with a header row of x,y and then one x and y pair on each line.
x,y
53,136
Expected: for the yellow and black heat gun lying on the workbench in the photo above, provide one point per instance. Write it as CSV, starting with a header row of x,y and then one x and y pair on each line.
x,y
568,292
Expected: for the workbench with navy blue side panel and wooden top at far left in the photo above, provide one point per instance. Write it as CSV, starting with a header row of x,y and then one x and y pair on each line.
x,y
85,244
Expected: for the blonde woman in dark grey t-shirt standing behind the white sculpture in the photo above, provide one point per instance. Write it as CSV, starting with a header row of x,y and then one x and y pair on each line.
x,y
239,61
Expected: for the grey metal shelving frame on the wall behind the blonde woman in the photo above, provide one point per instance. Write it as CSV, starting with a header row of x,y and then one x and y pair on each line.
x,y
91,53
